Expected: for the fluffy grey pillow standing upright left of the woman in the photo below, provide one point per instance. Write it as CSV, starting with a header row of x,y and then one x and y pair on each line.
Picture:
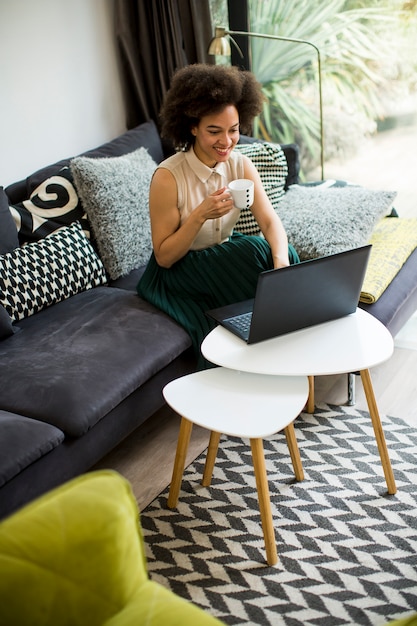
x,y
115,194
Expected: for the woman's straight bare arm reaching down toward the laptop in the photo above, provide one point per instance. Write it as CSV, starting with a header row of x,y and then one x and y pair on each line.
x,y
269,222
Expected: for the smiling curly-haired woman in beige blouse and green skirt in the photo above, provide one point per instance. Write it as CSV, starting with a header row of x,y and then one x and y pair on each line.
x,y
198,262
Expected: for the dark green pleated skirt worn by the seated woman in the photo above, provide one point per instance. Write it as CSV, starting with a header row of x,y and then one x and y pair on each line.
x,y
207,279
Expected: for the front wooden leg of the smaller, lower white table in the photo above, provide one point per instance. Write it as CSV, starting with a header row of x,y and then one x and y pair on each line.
x,y
264,500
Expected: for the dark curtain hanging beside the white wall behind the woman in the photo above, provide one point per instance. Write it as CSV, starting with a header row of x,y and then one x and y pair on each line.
x,y
156,37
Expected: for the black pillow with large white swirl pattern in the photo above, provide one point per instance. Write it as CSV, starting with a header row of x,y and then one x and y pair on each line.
x,y
52,205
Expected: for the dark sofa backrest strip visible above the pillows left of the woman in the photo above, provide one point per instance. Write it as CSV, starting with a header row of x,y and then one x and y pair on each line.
x,y
145,135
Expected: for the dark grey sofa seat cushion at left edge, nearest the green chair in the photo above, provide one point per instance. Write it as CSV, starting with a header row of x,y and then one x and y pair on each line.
x,y
23,441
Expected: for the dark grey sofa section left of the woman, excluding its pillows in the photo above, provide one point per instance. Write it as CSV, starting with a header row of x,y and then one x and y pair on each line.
x,y
80,375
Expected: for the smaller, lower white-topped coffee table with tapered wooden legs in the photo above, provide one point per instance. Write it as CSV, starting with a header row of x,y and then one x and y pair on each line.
x,y
242,405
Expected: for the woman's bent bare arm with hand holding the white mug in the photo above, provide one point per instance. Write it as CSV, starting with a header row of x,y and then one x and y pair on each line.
x,y
170,239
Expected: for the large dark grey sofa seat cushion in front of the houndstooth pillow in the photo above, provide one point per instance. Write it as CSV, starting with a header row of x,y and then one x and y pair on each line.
x,y
74,362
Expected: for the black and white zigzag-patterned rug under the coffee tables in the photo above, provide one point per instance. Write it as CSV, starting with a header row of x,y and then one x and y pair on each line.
x,y
347,550
